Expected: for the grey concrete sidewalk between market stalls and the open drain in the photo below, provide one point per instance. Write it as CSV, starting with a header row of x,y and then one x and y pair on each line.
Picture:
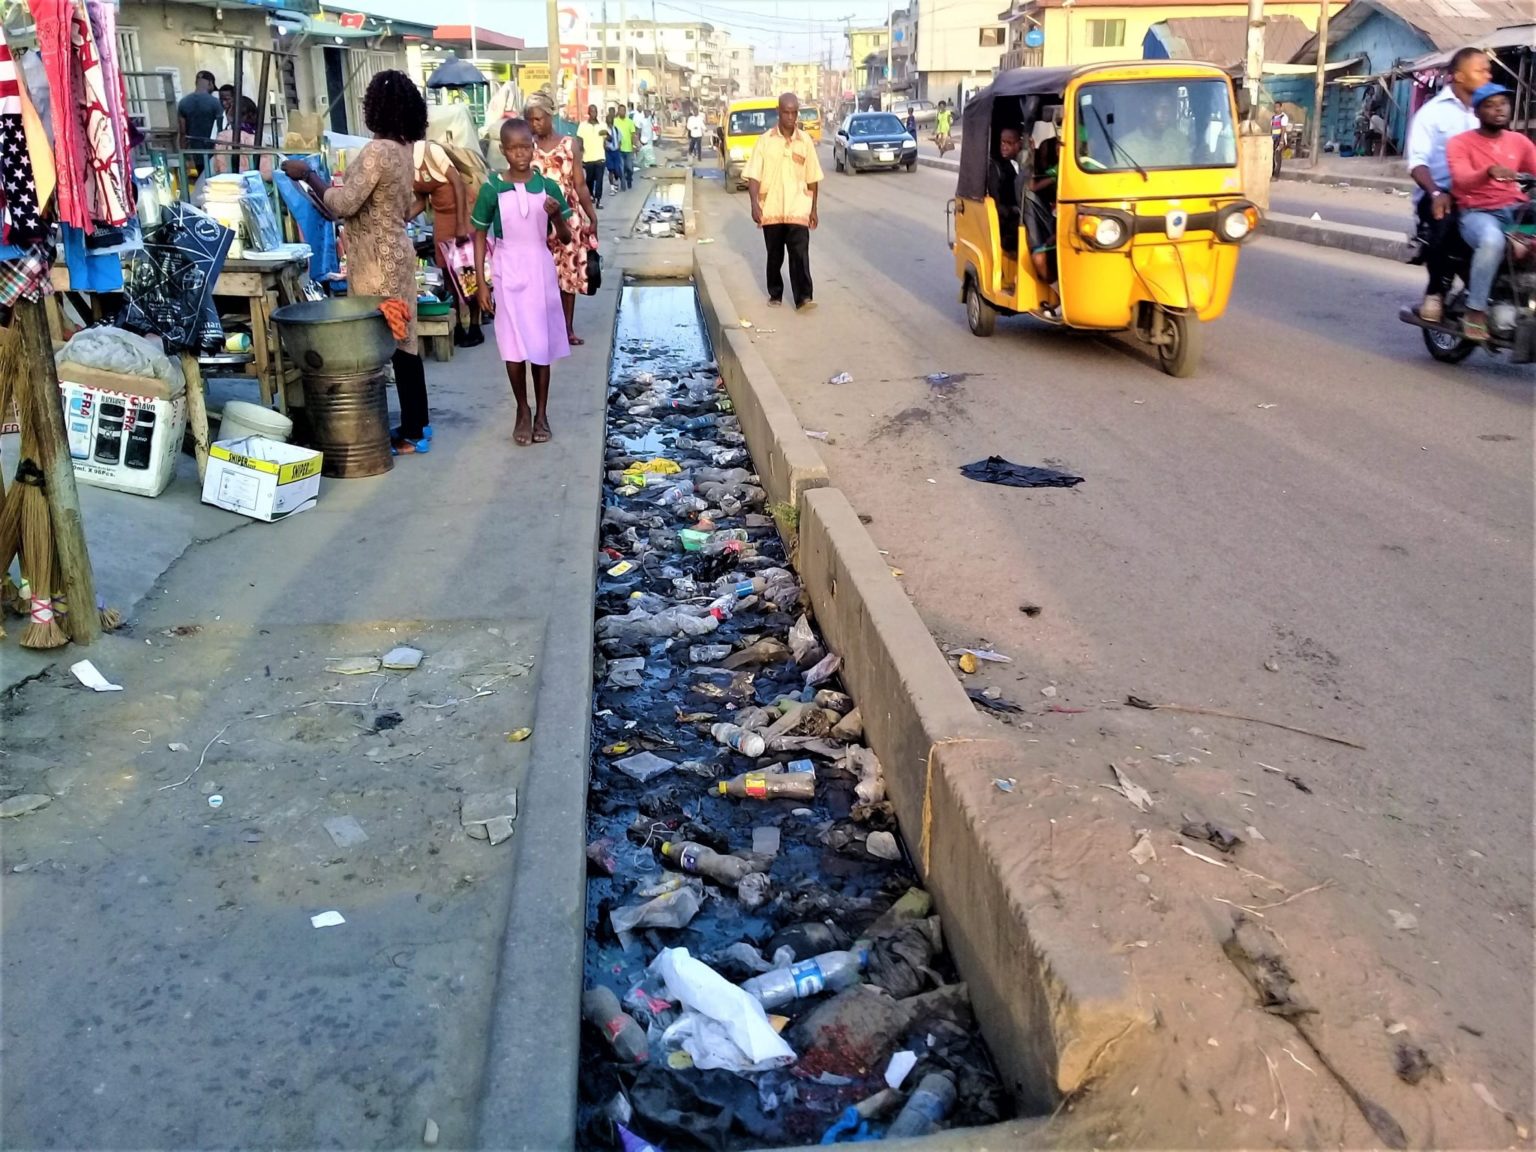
x,y
177,993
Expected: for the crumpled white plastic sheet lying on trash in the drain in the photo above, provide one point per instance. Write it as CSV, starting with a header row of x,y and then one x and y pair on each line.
x,y
724,1027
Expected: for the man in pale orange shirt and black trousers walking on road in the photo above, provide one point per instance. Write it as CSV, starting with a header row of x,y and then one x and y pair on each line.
x,y
784,177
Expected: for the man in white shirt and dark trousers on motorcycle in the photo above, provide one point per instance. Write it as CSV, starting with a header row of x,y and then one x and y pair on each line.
x,y
1449,114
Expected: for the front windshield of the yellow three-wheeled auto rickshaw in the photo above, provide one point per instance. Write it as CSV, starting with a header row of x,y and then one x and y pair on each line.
x,y
1156,125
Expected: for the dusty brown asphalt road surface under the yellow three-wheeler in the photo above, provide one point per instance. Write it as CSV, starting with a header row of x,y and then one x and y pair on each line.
x,y
1322,498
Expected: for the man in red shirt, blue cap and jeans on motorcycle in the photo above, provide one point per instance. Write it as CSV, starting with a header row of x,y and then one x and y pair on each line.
x,y
1485,167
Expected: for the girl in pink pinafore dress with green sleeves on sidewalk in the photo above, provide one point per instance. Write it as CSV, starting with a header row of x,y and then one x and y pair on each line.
x,y
514,217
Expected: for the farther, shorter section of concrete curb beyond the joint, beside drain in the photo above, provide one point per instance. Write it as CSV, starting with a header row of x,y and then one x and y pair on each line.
x,y
786,460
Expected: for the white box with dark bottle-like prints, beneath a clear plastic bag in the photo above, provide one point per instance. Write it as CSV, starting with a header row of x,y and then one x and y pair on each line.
x,y
125,432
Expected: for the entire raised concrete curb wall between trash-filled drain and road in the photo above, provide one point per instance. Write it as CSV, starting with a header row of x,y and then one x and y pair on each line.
x,y
1047,1001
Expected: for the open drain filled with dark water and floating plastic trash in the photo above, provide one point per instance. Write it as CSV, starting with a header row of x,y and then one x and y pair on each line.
x,y
761,967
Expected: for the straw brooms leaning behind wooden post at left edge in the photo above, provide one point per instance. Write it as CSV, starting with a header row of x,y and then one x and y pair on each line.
x,y
27,528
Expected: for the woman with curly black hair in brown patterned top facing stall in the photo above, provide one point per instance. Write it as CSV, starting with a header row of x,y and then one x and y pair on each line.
x,y
374,205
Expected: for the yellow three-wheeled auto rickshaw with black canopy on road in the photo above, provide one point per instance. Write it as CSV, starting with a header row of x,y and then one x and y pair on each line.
x,y
1124,210
